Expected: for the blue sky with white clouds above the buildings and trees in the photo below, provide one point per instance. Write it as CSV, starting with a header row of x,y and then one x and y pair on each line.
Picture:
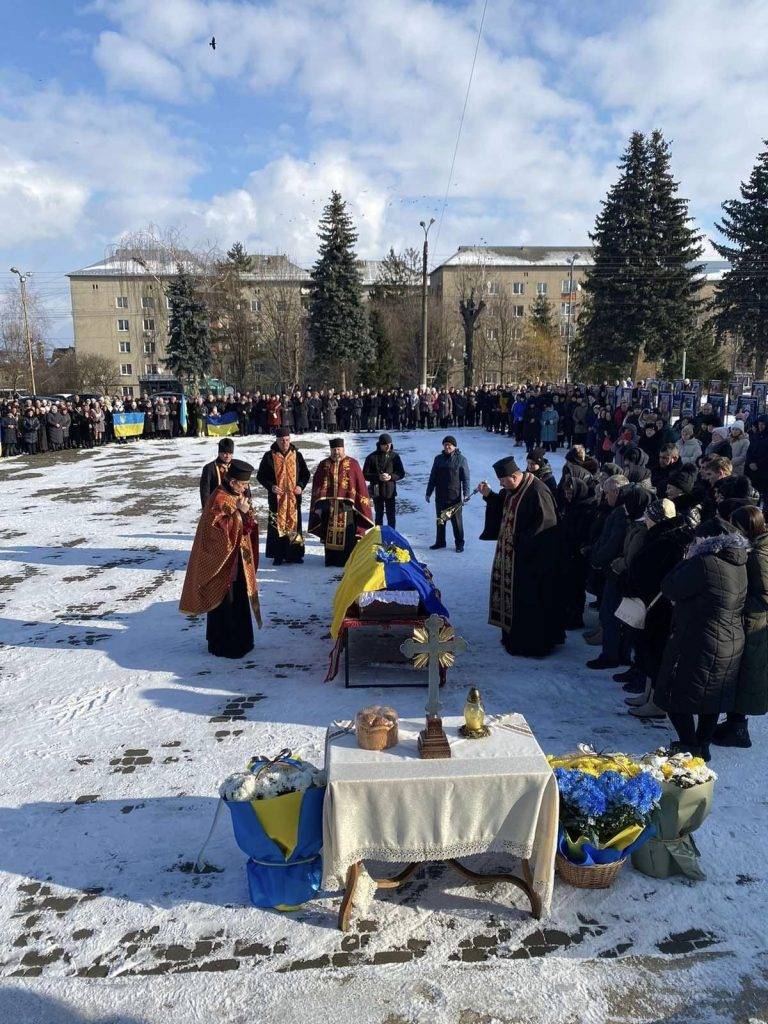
x,y
115,114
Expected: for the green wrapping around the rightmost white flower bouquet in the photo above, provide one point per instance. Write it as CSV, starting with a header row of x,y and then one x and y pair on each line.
x,y
673,851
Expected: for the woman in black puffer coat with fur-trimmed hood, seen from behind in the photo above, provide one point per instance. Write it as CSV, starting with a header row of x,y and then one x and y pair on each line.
x,y
701,662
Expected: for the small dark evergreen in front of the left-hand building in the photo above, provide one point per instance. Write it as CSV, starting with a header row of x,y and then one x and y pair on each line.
x,y
189,349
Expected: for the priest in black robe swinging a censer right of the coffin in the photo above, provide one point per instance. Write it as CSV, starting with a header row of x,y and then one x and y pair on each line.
x,y
525,582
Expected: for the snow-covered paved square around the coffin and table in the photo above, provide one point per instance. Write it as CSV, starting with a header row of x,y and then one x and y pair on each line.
x,y
118,728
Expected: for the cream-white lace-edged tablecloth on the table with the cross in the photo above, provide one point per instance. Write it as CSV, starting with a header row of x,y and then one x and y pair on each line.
x,y
494,795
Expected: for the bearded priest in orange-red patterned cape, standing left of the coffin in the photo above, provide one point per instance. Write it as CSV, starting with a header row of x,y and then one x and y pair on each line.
x,y
222,574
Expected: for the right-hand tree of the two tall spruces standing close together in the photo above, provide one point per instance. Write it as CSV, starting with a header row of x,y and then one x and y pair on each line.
x,y
677,284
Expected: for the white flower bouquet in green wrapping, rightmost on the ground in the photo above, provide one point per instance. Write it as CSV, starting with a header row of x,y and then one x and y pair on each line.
x,y
688,786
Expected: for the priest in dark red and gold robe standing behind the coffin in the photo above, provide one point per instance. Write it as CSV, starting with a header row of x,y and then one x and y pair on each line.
x,y
342,507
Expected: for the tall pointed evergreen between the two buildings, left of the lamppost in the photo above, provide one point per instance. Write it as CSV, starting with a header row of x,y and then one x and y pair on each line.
x,y
338,325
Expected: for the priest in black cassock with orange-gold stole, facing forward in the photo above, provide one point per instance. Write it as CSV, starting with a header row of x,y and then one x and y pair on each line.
x,y
285,476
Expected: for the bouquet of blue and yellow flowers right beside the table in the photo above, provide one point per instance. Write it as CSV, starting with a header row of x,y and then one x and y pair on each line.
x,y
607,803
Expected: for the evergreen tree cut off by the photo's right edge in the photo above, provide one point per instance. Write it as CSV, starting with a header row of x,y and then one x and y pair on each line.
x,y
742,297
